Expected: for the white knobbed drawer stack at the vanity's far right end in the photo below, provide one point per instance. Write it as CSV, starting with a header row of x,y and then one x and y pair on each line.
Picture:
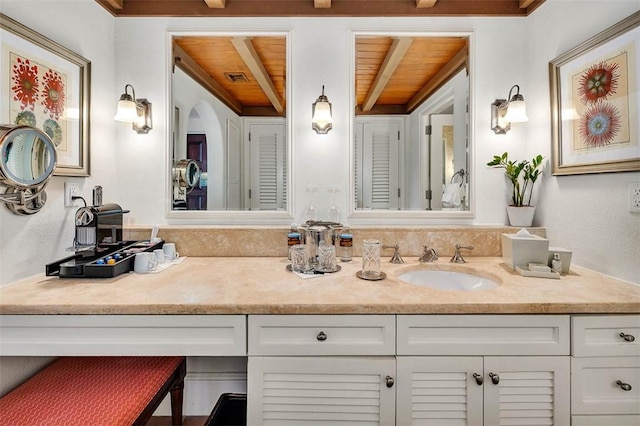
x,y
605,370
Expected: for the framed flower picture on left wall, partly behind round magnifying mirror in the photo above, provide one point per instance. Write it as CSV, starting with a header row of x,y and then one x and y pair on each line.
x,y
45,85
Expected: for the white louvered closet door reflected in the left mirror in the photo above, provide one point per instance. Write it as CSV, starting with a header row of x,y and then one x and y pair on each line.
x,y
268,160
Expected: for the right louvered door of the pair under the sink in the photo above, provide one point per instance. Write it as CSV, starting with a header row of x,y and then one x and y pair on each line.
x,y
526,391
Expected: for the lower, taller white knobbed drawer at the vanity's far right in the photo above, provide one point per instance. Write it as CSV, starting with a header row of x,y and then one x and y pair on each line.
x,y
594,387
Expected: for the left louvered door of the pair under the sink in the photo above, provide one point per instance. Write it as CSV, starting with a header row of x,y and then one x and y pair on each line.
x,y
439,391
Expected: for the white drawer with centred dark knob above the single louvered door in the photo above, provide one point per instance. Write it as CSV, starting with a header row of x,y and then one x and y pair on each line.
x,y
321,335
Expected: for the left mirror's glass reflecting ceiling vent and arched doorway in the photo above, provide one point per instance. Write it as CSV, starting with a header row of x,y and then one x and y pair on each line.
x,y
229,97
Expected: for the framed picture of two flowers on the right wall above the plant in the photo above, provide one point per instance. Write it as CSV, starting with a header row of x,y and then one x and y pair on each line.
x,y
595,101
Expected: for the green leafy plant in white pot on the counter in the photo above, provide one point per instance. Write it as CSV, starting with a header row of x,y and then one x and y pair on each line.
x,y
522,175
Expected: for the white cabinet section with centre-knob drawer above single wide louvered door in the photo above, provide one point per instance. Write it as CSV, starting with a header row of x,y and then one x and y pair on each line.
x,y
321,370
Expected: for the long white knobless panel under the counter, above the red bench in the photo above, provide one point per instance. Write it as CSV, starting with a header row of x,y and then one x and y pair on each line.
x,y
65,335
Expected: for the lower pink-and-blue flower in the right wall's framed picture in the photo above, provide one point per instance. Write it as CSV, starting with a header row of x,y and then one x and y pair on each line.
x,y
599,125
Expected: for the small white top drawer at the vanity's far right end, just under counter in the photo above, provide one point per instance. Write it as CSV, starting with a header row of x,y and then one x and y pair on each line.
x,y
606,335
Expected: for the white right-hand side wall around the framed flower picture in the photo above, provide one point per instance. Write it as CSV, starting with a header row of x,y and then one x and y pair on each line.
x,y
585,213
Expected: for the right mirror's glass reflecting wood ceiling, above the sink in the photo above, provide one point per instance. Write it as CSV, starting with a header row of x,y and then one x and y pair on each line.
x,y
411,126
